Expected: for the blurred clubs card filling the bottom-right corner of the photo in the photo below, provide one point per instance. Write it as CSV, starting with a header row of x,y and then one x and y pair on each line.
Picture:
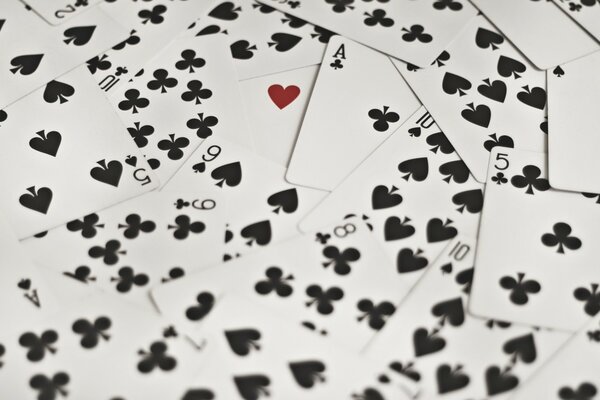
x,y
571,373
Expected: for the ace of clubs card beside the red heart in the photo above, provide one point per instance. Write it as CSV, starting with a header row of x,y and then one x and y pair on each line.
x,y
371,101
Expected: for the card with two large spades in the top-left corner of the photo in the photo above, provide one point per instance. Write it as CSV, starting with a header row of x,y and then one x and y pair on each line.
x,y
34,52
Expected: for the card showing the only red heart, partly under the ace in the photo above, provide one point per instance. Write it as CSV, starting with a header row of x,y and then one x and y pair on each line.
x,y
277,104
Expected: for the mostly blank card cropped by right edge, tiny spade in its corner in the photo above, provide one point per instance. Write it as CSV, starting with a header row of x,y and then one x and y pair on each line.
x,y
572,136
